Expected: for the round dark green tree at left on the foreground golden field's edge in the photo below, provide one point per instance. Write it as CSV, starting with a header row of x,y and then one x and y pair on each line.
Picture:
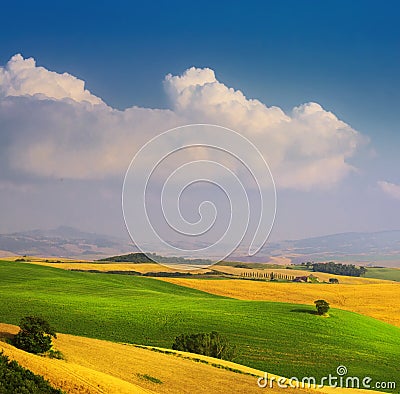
x,y
35,335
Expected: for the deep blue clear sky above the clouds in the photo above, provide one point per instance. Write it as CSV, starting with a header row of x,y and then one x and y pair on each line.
x,y
342,54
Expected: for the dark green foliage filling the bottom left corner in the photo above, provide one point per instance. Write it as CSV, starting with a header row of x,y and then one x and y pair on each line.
x,y
15,379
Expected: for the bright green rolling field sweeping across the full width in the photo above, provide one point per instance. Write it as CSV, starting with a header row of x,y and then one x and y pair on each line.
x,y
281,338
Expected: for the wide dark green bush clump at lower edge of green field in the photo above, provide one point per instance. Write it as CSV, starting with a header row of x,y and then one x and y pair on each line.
x,y
208,344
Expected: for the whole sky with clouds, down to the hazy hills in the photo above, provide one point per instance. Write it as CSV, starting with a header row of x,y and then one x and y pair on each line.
x,y
313,85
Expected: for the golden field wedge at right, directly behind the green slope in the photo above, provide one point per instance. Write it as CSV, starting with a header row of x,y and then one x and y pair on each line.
x,y
378,300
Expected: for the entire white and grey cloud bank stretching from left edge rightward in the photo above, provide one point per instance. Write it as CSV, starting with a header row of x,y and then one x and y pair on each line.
x,y
51,126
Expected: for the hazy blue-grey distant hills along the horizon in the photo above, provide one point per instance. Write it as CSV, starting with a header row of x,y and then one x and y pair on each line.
x,y
376,248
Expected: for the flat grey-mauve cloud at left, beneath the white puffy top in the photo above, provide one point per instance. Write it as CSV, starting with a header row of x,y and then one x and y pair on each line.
x,y
71,140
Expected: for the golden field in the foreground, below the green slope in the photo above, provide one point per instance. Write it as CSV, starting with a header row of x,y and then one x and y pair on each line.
x,y
93,366
